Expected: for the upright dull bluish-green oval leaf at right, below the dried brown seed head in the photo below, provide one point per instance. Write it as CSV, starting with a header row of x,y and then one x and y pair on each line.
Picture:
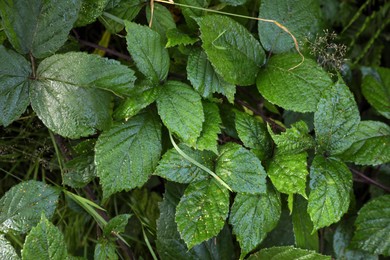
x,y
337,117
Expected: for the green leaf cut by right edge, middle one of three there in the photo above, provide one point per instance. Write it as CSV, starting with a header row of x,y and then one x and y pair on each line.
x,y
370,146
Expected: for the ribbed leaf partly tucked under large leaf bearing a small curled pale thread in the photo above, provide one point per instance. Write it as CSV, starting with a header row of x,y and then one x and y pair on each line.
x,y
204,79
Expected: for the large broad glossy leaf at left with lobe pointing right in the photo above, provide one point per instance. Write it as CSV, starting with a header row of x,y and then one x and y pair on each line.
x,y
72,92
